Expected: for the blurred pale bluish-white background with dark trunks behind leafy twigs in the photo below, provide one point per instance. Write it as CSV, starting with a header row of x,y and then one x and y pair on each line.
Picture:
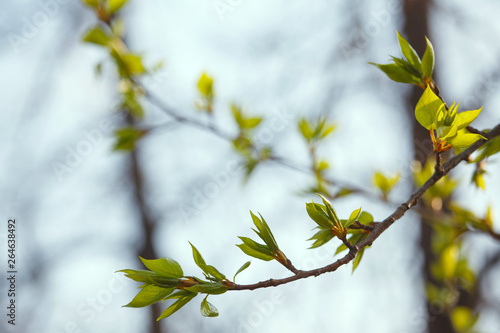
x,y
281,60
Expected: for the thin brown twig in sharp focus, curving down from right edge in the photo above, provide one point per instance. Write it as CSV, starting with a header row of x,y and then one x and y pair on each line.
x,y
381,227
